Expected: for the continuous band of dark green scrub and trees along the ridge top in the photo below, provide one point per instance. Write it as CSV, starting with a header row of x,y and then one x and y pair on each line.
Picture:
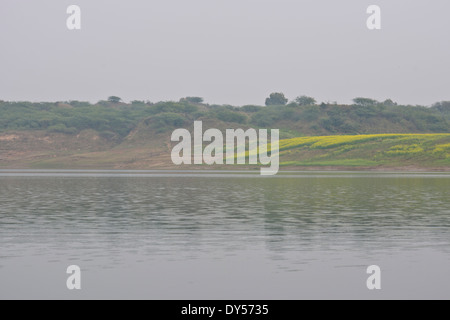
x,y
300,118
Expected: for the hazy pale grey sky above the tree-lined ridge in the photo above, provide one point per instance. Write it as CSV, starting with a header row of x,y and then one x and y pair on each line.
x,y
227,51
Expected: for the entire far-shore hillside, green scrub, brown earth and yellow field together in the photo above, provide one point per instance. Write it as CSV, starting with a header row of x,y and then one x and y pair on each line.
x,y
110,135
